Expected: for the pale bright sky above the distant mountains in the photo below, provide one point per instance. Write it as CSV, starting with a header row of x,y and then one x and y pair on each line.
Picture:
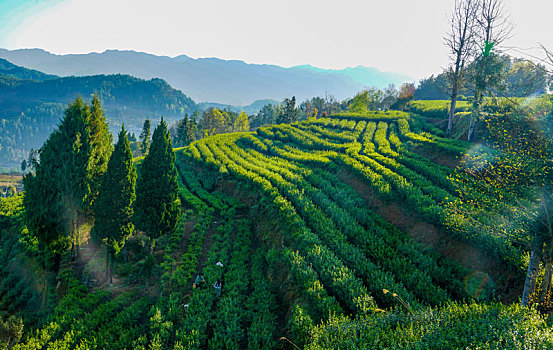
x,y
402,36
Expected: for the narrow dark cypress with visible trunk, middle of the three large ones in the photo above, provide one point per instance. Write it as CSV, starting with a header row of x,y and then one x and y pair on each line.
x,y
114,207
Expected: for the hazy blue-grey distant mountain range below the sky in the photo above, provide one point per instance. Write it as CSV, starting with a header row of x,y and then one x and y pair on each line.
x,y
227,82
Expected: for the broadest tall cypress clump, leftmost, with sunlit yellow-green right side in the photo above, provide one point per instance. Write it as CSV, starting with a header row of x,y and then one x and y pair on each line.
x,y
62,190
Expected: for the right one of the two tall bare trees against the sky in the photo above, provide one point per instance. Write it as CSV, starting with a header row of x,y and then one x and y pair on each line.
x,y
493,28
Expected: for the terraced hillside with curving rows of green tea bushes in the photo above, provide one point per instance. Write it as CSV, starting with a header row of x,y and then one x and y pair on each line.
x,y
333,233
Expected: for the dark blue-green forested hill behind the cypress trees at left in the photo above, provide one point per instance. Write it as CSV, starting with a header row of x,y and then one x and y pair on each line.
x,y
31,109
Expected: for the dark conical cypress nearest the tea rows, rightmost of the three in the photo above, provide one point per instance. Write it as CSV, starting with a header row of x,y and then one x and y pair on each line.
x,y
157,202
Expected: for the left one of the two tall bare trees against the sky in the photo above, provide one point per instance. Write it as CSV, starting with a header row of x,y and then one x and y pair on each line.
x,y
461,43
